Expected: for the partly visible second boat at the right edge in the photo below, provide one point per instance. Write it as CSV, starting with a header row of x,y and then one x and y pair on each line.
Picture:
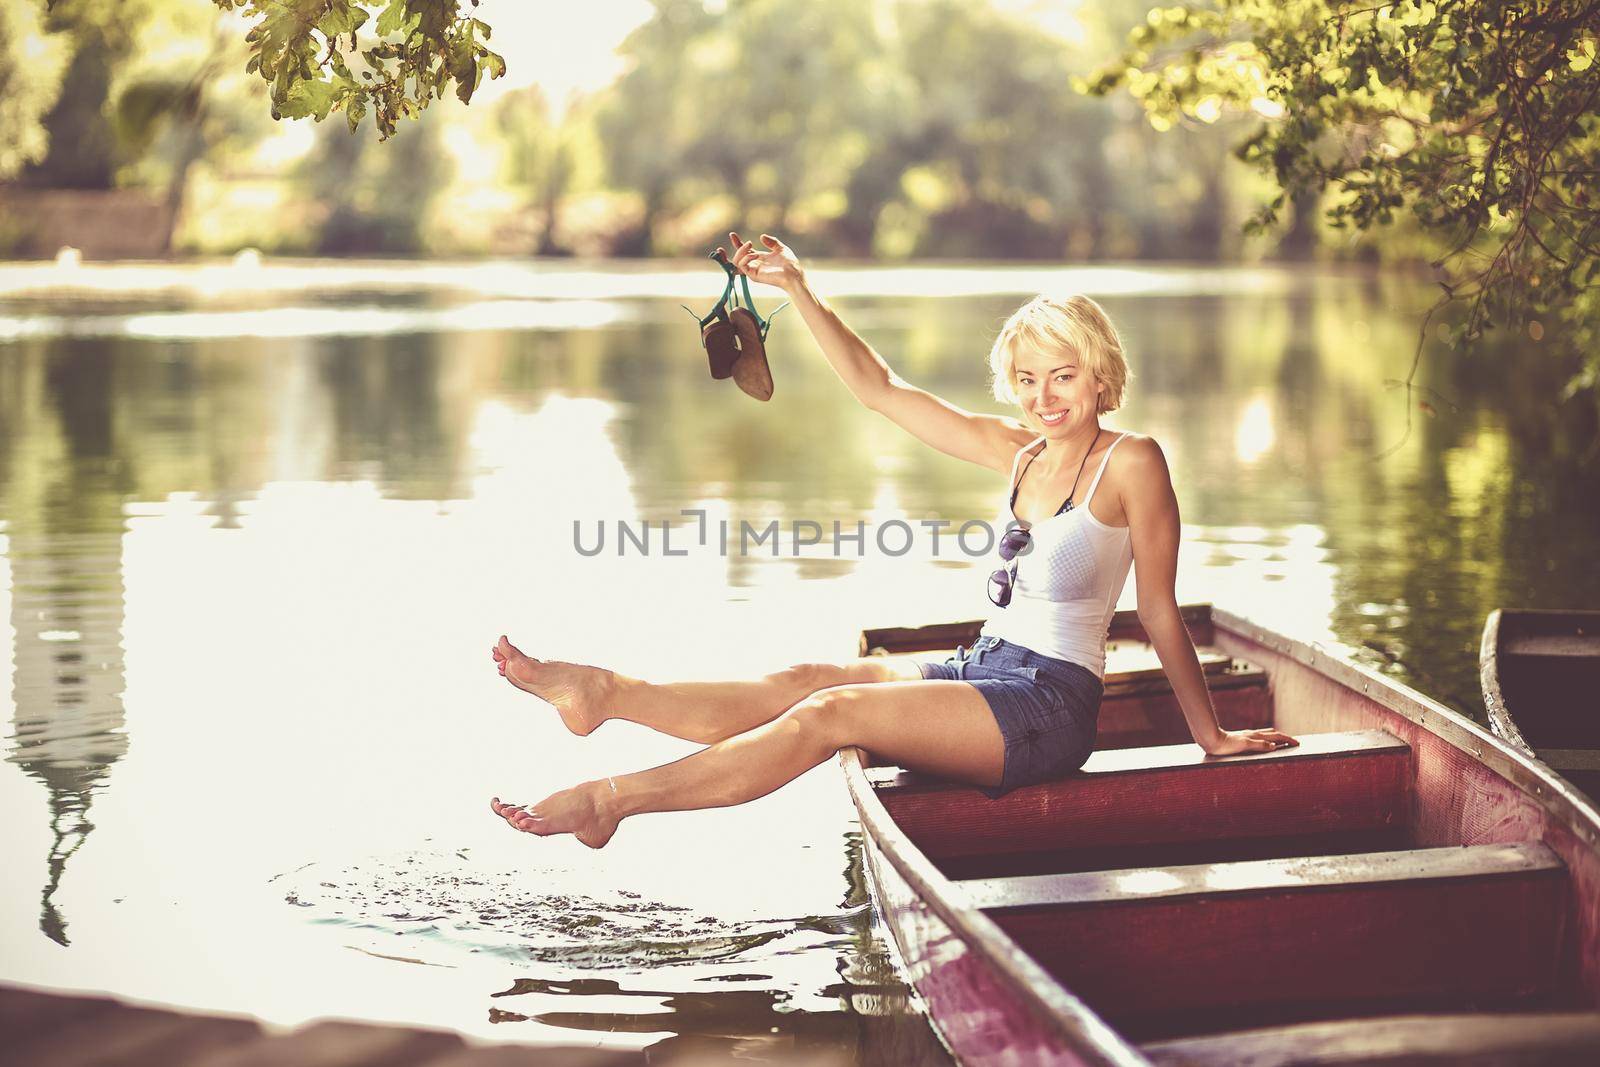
x,y
1542,687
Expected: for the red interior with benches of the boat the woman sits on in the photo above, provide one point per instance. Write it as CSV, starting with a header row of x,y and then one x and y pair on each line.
x,y
1375,873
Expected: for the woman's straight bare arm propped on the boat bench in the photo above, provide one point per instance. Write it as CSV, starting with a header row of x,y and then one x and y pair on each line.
x,y
1153,526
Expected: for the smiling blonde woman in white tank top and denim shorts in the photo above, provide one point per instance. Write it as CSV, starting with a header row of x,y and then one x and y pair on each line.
x,y
1015,709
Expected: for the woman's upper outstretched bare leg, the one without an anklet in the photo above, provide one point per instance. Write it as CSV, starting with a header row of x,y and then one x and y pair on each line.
x,y
697,711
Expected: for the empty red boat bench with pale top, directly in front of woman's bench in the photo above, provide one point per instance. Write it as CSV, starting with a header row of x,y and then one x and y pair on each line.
x,y
1169,951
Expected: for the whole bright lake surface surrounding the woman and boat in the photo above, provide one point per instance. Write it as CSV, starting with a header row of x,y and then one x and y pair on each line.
x,y
260,527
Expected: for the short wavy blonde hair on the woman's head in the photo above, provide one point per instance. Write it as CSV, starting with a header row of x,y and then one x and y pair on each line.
x,y
1062,324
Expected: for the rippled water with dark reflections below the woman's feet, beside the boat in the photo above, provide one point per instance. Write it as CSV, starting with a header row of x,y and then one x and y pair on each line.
x,y
610,961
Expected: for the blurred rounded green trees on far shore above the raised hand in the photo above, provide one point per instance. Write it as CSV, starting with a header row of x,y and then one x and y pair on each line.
x,y
894,129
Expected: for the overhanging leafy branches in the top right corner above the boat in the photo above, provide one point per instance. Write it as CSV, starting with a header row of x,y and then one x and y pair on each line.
x,y
1476,119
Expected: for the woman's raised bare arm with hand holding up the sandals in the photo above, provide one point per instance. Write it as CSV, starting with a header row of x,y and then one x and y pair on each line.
x,y
986,441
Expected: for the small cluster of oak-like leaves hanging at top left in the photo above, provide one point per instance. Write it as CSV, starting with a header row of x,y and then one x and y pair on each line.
x,y
409,55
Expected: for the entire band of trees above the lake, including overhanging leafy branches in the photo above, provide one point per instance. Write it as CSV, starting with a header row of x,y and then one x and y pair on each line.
x,y
1417,132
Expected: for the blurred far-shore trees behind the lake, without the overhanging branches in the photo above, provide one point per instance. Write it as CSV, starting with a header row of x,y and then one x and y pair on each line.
x,y
879,129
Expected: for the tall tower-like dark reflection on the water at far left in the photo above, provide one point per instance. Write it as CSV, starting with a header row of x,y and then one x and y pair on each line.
x,y
65,546
